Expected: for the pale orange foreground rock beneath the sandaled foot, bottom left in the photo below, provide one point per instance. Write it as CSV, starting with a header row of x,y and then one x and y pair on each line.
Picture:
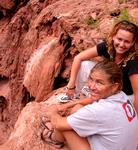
x,y
27,133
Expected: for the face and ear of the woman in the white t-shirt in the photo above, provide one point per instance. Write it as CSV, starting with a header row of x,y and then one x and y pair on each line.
x,y
100,86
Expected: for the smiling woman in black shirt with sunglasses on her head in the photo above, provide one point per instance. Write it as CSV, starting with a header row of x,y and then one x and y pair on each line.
x,y
121,47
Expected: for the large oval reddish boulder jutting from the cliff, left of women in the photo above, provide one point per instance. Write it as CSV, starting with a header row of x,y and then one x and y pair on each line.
x,y
44,66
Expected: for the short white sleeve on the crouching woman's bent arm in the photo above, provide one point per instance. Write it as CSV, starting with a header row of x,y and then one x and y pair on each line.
x,y
84,121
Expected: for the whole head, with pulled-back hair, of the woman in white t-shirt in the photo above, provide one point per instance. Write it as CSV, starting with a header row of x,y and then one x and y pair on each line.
x,y
105,79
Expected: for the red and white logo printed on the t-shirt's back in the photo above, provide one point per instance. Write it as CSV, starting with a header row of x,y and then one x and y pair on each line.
x,y
129,110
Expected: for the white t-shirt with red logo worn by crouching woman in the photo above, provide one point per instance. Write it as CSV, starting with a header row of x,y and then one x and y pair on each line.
x,y
109,124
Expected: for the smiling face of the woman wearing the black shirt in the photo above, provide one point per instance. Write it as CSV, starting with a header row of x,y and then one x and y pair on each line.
x,y
122,41
